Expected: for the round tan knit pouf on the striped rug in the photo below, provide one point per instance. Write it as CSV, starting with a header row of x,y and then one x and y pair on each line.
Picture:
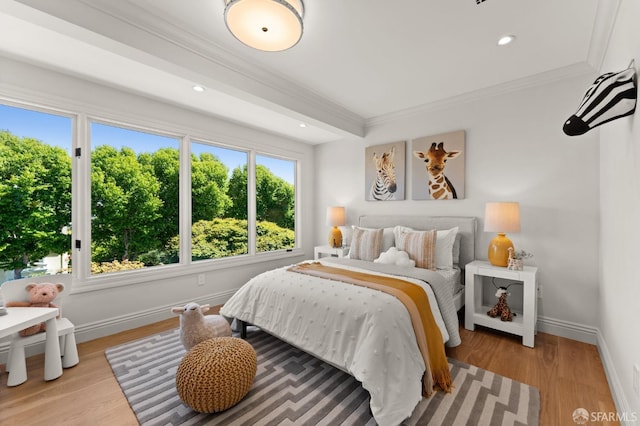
x,y
216,374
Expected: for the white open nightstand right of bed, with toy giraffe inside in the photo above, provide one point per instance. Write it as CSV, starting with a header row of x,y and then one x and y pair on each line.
x,y
524,323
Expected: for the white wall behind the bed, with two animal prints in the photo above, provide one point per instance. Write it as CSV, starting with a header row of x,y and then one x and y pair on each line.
x,y
515,150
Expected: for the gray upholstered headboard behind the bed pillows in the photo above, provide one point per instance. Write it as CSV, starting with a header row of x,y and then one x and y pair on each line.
x,y
466,228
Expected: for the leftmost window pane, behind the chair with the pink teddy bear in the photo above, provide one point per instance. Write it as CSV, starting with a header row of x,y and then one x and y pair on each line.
x,y
35,192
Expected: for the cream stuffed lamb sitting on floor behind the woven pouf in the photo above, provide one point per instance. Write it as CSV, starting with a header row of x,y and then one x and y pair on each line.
x,y
195,327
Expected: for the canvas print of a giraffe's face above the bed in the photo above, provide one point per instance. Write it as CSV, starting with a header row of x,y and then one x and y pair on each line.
x,y
435,156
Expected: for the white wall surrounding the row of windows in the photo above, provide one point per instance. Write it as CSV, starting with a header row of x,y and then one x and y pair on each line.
x,y
102,312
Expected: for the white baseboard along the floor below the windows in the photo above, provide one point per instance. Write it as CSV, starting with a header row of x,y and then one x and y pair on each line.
x,y
109,326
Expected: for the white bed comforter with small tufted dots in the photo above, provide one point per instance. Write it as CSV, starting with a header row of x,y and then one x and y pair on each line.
x,y
359,330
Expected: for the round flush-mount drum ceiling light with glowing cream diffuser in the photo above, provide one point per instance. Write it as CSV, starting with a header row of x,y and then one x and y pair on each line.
x,y
269,25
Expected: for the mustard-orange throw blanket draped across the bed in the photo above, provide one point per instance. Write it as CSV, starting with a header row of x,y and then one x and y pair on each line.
x,y
416,301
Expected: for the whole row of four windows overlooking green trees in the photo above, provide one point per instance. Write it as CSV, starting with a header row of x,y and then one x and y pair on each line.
x,y
133,198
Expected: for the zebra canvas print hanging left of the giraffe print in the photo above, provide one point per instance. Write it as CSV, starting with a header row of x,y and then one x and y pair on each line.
x,y
384,172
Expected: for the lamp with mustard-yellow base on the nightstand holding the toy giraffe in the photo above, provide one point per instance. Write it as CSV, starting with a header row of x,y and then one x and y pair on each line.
x,y
501,217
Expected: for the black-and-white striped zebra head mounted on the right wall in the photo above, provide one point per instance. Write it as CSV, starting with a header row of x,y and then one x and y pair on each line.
x,y
611,96
